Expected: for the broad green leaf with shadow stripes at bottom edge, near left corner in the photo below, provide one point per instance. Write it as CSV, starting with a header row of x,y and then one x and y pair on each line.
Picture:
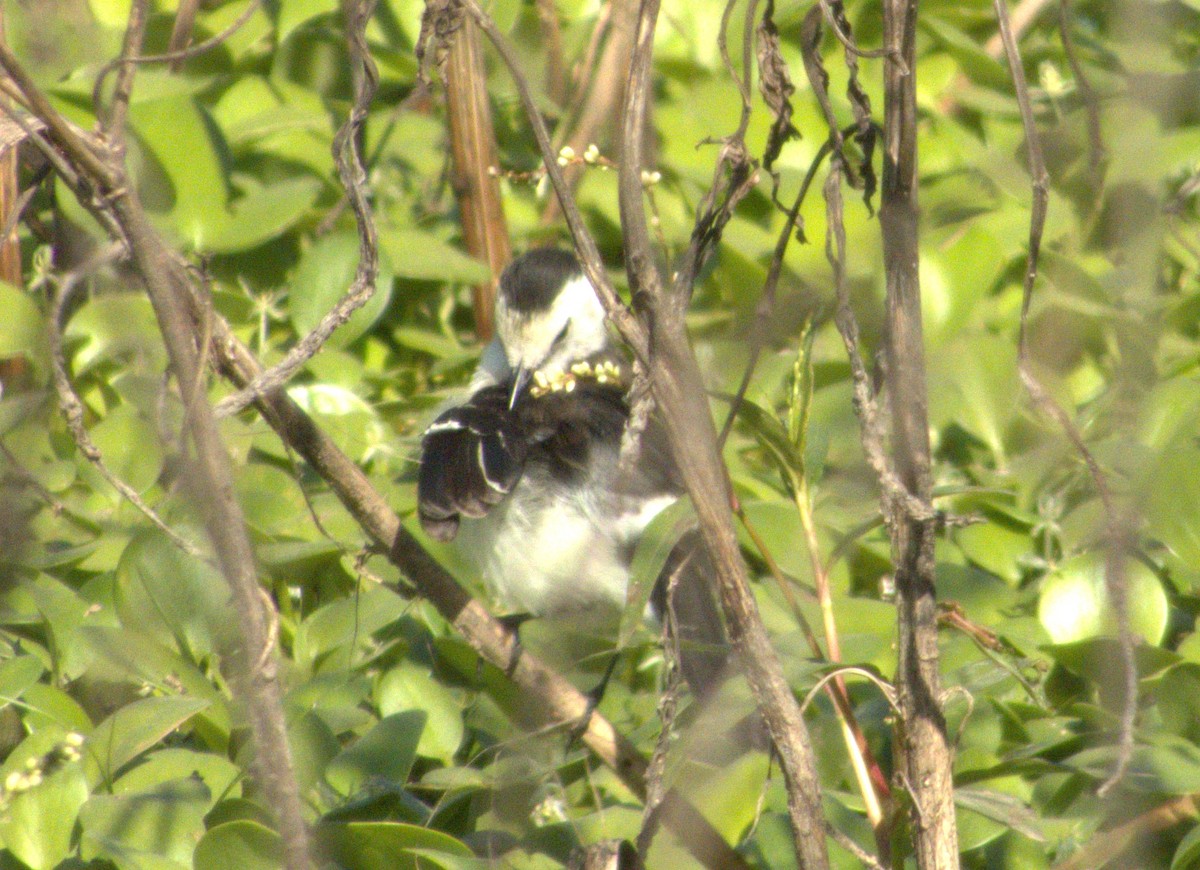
x,y
158,827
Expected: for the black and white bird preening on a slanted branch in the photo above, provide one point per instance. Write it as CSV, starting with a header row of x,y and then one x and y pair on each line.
x,y
527,471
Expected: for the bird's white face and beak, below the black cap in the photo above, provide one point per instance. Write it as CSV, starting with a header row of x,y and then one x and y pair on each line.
x,y
550,340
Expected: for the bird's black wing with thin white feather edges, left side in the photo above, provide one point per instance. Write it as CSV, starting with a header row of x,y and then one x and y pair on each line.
x,y
472,458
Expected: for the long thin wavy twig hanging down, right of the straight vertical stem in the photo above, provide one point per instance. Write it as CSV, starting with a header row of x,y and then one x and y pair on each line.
x,y
1117,529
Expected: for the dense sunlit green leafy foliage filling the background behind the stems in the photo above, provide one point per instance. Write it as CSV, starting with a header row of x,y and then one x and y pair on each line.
x,y
404,741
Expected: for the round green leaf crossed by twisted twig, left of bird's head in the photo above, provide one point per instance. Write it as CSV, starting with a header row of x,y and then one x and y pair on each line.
x,y
326,273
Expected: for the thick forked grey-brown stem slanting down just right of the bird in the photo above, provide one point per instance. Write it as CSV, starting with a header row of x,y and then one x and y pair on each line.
x,y
680,392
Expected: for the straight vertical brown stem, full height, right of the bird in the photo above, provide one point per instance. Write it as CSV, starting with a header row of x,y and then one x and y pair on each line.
x,y
927,759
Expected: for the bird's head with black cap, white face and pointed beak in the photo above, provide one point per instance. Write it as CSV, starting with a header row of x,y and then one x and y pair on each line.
x,y
548,316
